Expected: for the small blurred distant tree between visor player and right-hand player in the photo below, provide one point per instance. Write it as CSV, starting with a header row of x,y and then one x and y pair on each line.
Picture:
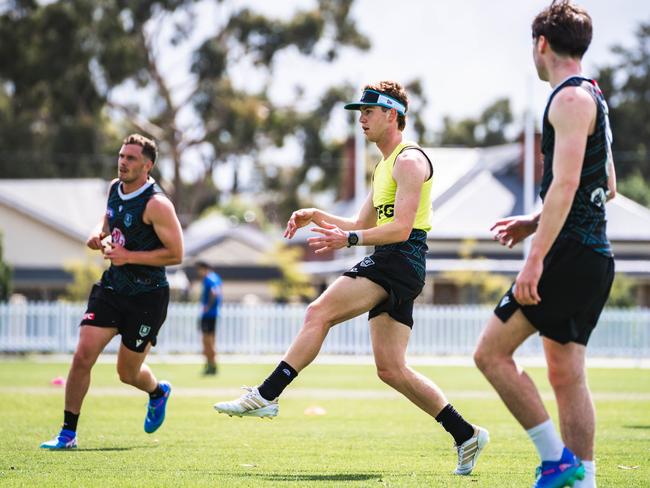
x,y
489,129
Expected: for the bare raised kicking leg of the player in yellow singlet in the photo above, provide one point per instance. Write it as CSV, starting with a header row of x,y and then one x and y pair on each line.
x,y
344,299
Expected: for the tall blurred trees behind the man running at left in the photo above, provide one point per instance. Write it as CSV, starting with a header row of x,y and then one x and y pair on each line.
x,y
55,90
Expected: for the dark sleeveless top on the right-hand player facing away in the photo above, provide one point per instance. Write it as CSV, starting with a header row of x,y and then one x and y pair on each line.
x,y
586,222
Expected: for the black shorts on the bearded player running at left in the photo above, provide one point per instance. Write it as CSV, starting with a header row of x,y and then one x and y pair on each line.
x,y
137,318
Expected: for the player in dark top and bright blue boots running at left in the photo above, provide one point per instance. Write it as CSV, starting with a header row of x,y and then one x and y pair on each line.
x,y
131,298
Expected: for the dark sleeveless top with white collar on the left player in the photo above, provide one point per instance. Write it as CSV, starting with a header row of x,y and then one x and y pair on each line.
x,y
124,214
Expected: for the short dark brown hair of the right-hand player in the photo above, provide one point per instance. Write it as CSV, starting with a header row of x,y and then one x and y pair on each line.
x,y
566,26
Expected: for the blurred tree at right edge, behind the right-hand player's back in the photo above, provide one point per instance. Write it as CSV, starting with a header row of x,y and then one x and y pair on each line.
x,y
626,85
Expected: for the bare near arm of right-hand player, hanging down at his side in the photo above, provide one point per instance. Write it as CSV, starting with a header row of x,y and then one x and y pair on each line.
x,y
571,114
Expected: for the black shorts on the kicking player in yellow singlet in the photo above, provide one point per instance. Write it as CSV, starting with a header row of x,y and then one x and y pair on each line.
x,y
393,272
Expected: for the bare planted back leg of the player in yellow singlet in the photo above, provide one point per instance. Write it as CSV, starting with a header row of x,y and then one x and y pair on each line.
x,y
389,341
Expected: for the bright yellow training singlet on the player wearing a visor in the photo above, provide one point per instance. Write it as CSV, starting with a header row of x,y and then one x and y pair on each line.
x,y
384,188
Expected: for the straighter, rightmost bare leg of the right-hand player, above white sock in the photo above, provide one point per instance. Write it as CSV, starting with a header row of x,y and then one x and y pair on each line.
x,y
567,375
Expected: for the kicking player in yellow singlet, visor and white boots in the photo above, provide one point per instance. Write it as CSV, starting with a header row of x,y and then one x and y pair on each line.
x,y
395,219
